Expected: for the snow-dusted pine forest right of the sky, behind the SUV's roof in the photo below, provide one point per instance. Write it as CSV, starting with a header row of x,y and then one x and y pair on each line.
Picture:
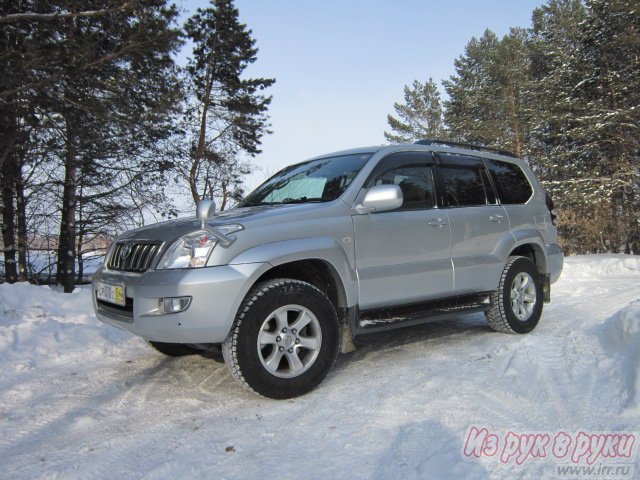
x,y
564,95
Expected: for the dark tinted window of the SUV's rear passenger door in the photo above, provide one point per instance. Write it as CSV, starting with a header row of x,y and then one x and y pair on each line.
x,y
463,186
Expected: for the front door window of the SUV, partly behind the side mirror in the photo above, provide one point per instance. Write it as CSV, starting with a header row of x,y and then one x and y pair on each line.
x,y
416,183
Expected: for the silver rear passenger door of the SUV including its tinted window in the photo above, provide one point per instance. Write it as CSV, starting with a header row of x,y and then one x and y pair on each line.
x,y
476,219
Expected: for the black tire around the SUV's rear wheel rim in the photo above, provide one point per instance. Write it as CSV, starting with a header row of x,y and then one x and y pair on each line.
x,y
501,316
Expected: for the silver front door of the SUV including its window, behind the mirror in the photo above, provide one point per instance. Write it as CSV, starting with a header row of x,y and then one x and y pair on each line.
x,y
402,256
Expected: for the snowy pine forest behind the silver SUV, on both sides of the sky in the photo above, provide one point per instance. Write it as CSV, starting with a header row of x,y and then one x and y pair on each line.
x,y
100,127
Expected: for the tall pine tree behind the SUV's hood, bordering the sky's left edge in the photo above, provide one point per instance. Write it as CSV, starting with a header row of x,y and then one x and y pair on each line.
x,y
230,117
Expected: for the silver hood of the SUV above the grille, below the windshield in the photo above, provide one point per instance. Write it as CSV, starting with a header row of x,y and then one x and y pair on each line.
x,y
173,229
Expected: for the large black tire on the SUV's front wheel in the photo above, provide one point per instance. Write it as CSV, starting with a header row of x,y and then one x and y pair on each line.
x,y
248,363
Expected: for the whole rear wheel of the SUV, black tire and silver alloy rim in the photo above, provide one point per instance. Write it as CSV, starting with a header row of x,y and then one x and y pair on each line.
x,y
517,302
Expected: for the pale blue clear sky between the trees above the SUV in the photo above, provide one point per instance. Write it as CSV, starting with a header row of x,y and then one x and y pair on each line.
x,y
340,65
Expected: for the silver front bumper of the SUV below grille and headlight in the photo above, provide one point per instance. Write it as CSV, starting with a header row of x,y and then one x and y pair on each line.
x,y
216,296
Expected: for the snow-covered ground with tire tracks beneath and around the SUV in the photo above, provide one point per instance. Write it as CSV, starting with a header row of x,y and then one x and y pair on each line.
x,y
79,399
